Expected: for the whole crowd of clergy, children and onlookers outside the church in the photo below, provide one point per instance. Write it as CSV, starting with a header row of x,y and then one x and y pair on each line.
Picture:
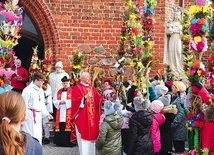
x,y
152,123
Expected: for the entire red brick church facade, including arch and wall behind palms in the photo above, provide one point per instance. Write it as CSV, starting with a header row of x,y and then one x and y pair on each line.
x,y
66,24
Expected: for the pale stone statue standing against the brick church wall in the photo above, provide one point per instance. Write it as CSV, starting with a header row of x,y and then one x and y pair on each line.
x,y
173,44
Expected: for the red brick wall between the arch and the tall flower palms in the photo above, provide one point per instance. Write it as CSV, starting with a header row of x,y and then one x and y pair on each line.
x,y
86,22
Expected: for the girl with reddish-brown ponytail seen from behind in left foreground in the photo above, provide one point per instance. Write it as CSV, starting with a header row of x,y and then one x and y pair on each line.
x,y
12,116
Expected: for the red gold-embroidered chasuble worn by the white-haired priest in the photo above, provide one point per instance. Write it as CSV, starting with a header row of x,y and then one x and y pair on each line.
x,y
87,118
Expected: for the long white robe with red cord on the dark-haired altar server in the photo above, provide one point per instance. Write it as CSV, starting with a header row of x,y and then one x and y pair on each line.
x,y
35,101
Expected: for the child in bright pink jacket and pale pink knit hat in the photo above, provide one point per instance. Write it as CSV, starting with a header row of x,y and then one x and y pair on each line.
x,y
158,119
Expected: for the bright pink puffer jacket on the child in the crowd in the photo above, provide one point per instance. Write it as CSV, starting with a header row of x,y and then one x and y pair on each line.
x,y
158,119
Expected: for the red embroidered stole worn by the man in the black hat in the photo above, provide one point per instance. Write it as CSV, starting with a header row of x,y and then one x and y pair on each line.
x,y
68,112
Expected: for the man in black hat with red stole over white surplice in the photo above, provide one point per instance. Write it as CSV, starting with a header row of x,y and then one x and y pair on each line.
x,y
62,102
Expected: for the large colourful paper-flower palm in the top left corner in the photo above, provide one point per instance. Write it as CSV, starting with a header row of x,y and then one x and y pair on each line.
x,y
10,27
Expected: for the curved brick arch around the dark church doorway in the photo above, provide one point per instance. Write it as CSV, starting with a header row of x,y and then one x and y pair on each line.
x,y
39,12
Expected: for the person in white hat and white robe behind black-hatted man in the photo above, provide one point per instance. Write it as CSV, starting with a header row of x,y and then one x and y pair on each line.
x,y
55,80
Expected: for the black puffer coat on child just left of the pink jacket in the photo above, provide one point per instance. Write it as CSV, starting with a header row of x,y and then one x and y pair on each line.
x,y
139,134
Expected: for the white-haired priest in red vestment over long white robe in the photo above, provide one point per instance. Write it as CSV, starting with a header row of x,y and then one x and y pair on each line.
x,y
86,111
